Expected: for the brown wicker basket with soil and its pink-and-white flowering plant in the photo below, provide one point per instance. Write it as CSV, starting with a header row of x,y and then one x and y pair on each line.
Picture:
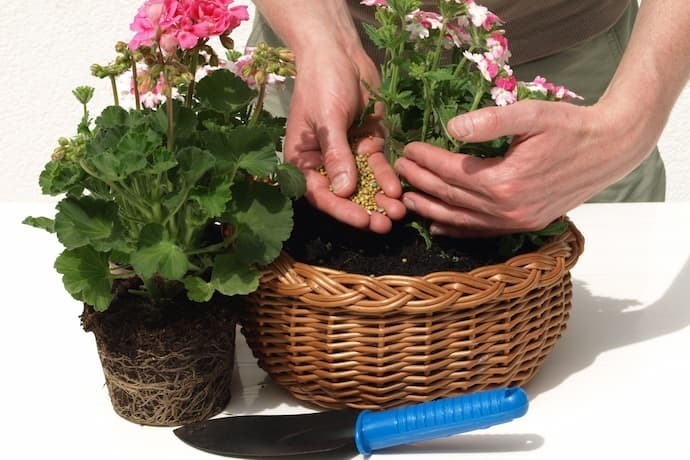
x,y
377,320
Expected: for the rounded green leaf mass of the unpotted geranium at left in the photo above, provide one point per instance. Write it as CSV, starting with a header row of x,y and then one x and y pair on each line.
x,y
197,208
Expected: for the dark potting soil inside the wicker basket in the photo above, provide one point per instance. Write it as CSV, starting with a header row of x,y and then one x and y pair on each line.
x,y
318,239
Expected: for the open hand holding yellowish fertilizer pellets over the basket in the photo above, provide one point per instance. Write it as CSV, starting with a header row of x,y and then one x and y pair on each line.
x,y
328,97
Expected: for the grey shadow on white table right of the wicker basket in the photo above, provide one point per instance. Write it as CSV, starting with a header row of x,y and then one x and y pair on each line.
x,y
598,324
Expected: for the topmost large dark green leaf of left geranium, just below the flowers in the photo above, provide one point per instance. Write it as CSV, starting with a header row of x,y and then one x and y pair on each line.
x,y
224,92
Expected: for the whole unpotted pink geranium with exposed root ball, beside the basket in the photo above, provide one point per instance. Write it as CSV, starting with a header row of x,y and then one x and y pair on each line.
x,y
171,207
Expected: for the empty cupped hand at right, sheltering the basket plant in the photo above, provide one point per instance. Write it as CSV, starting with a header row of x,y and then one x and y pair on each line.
x,y
561,155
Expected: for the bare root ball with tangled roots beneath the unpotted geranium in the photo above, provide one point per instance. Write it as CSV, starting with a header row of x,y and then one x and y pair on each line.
x,y
165,365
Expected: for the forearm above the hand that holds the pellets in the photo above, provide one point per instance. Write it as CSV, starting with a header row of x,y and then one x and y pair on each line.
x,y
307,25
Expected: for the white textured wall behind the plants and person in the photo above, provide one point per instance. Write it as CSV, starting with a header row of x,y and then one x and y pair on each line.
x,y
48,47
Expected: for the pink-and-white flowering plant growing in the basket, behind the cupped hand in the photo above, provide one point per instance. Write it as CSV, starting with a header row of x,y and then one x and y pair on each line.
x,y
441,63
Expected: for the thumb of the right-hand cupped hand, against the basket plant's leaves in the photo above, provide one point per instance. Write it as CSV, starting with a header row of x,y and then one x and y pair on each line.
x,y
491,123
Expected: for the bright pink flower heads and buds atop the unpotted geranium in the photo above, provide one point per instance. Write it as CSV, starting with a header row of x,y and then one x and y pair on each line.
x,y
172,38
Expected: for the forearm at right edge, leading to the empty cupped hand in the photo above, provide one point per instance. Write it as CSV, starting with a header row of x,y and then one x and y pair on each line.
x,y
654,68
